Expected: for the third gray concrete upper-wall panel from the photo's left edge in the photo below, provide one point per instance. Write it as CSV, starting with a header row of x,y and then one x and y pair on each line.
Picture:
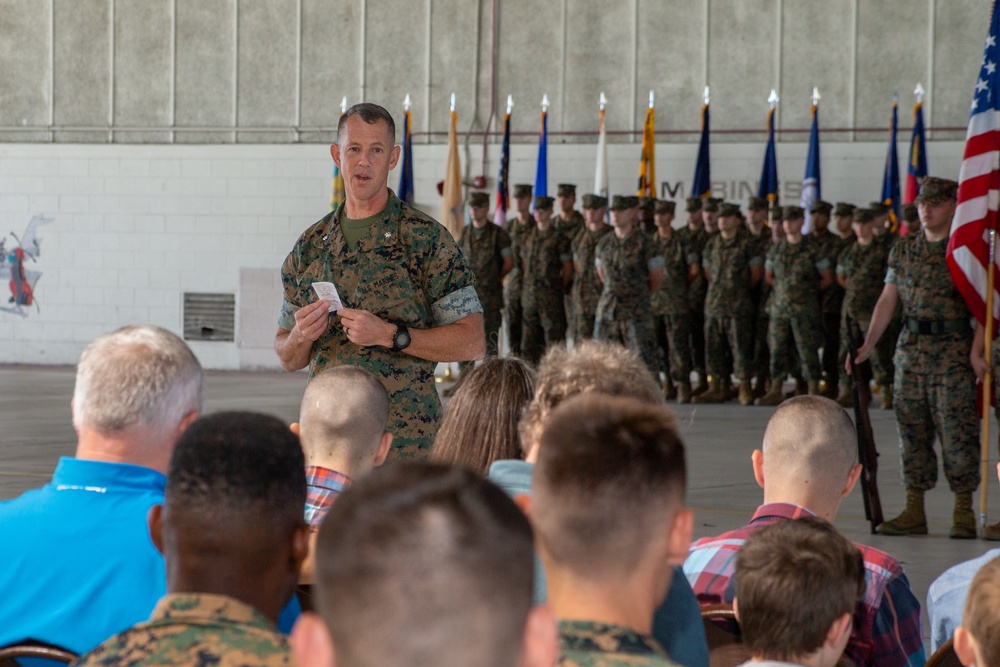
x,y
143,53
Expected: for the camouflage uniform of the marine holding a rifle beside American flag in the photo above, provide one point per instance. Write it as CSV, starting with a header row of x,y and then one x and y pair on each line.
x,y
934,386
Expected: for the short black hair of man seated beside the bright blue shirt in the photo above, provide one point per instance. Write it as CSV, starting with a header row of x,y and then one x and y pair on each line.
x,y
238,462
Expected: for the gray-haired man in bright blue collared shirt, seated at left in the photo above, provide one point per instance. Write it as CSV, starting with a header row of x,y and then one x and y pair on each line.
x,y
78,562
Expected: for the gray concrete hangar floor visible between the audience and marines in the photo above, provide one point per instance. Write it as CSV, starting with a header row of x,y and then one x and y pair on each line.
x,y
35,430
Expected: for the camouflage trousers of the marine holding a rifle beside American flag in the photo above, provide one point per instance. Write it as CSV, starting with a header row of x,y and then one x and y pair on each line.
x,y
943,406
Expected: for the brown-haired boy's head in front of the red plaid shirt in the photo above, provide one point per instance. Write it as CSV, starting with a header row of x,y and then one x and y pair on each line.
x,y
797,583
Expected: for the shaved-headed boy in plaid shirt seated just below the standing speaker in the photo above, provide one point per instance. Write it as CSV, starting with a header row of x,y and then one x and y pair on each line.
x,y
341,425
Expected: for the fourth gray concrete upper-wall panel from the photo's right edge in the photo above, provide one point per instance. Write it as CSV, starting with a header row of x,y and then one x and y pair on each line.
x,y
742,44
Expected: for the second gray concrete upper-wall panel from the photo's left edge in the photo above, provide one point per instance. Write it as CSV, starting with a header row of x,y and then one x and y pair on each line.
x,y
82,66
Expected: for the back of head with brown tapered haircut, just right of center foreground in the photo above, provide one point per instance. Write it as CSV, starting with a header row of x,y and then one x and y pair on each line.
x,y
610,474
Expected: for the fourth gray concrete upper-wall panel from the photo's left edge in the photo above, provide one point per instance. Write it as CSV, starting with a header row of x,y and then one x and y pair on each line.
x,y
205,68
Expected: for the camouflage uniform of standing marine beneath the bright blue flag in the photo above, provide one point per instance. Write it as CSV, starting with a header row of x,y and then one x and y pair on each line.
x,y
544,316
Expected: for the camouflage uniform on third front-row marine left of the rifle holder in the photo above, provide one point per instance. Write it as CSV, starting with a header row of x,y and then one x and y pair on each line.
x,y
728,304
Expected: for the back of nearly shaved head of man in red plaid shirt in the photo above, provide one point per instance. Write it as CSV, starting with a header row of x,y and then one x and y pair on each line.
x,y
810,440
